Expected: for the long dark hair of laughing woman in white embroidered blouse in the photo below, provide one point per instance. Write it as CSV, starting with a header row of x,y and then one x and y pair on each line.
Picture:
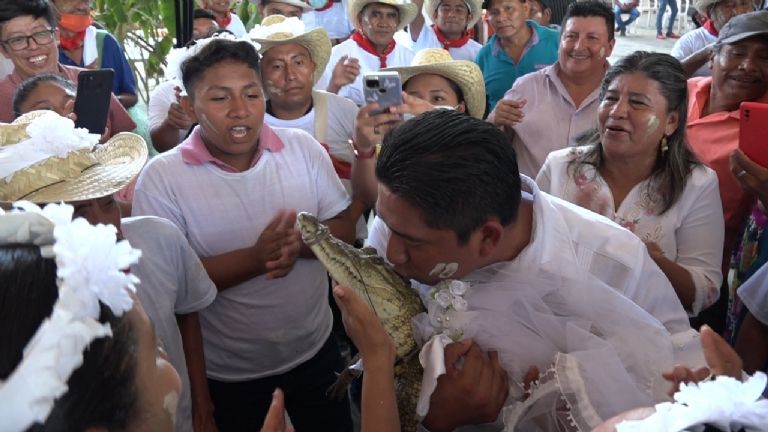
x,y
670,174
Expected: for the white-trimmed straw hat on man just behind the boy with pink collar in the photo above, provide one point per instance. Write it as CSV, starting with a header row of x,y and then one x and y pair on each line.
x,y
279,30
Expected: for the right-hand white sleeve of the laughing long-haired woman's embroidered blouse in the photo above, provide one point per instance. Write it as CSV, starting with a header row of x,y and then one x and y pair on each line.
x,y
700,238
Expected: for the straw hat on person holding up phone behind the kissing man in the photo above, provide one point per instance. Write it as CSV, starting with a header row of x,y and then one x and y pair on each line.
x,y
464,73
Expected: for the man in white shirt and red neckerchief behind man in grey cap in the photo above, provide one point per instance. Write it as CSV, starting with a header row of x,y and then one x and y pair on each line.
x,y
694,49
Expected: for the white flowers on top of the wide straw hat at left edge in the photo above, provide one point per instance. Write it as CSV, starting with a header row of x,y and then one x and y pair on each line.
x,y
49,135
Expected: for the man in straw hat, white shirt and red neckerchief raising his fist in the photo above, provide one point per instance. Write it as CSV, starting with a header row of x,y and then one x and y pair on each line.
x,y
372,46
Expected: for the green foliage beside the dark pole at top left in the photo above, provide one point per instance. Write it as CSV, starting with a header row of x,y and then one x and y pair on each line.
x,y
146,29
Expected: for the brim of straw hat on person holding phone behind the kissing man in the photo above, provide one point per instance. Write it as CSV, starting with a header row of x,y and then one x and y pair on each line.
x,y
465,74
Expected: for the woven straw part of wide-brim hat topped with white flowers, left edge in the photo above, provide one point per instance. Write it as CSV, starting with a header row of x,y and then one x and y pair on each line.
x,y
79,175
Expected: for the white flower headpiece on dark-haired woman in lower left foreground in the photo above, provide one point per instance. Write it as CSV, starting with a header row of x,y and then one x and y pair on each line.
x,y
90,269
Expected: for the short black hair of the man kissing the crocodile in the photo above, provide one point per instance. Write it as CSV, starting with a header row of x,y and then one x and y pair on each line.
x,y
456,170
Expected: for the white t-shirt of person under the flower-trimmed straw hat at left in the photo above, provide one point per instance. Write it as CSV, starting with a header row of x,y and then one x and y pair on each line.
x,y
173,282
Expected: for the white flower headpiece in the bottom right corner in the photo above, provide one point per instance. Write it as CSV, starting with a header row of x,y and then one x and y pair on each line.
x,y
726,403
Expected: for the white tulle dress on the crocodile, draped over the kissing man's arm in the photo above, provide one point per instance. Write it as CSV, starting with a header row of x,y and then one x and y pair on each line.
x,y
600,354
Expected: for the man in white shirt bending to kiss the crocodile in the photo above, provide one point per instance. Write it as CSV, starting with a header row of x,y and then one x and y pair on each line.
x,y
455,208
